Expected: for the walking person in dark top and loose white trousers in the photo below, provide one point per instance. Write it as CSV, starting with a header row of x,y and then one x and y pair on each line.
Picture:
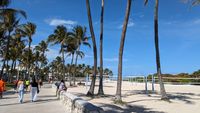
x,y
34,89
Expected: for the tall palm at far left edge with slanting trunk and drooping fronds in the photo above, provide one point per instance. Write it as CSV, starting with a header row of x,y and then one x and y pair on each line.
x,y
8,23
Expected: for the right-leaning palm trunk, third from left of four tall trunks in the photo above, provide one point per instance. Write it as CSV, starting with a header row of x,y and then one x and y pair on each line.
x,y
119,79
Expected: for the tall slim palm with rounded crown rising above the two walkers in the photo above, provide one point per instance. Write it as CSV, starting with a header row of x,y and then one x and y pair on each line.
x,y
29,30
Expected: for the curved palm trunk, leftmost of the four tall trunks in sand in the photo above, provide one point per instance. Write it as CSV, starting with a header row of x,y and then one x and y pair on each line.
x,y
92,86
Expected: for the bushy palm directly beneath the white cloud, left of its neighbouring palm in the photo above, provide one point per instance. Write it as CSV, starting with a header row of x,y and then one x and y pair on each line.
x,y
60,36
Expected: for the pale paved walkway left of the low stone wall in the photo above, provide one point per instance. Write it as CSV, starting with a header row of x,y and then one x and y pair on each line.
x,y
46,103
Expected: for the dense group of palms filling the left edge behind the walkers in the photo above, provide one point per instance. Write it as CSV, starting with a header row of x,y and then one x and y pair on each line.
x,y
15,44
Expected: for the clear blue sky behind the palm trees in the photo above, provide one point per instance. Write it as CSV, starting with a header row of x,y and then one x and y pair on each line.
x,y
179,32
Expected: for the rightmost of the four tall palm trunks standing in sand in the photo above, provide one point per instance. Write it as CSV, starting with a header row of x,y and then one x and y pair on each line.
x,y
162,88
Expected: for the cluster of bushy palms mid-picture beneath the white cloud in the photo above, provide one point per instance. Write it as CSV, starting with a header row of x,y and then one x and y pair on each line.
x,y
70,43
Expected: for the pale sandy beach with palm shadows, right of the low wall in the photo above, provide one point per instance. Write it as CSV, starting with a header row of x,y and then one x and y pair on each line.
x,y
183,98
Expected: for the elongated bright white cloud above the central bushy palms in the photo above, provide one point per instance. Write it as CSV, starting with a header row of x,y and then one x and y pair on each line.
x,y
55,22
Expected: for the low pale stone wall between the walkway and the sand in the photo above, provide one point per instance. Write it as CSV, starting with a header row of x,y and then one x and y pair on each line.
x,y
76,104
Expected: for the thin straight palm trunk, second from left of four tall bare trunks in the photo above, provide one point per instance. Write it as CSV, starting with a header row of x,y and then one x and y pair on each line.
x,y
100,91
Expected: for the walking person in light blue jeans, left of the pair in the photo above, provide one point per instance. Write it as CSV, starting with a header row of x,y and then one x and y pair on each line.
x,y
20,88
